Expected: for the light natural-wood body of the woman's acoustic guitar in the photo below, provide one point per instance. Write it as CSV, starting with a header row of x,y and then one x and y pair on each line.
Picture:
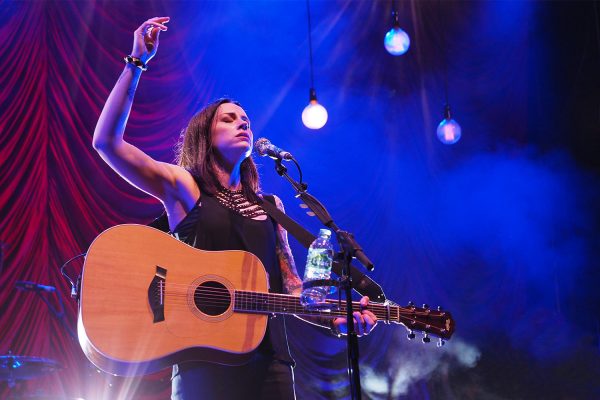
x,y
140,309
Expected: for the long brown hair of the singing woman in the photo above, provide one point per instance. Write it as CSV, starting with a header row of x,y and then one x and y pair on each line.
x,y
195,153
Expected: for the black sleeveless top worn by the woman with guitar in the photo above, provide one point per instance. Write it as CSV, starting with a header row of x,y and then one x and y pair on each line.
x,y
212,226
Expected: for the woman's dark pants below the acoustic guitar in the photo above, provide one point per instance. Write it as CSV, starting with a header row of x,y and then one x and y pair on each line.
x,y
262,378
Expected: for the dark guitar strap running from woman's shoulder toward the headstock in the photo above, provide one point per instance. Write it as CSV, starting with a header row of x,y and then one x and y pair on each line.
x,y
362,283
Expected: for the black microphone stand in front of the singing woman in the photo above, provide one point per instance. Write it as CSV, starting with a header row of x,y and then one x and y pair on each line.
x,y
350,250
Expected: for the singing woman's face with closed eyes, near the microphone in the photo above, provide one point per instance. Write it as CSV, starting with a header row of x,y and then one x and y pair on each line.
x,y
231,133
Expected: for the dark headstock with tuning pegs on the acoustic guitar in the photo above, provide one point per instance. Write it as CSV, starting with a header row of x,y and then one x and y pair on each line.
x,y
437,322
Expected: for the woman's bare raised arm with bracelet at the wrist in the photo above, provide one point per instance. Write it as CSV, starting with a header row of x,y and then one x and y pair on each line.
x,y
158,179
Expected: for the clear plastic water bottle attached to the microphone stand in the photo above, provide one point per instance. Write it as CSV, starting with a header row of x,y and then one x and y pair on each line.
x,y
318,266
